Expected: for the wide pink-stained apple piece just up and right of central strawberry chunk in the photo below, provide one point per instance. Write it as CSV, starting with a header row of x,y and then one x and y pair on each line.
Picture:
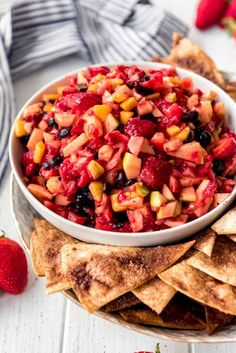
x,y
191,151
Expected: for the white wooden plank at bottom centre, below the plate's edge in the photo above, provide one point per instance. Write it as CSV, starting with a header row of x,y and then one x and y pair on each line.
x,y
88,333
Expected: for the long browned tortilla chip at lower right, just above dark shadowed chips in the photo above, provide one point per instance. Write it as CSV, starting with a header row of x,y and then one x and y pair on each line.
x,y
201,287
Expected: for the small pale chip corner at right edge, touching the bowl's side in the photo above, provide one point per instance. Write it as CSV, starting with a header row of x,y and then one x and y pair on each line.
x,y
226,224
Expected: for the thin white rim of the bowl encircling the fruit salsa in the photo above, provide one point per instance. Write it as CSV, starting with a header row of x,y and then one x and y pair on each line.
x,y
137,235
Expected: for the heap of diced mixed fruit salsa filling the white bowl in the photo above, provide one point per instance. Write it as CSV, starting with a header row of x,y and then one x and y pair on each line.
x,y
127,149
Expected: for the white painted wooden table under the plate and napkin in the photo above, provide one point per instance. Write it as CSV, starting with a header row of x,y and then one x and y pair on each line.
x,y
36,323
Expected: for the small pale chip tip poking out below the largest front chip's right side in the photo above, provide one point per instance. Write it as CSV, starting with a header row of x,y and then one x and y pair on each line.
x,y
156,294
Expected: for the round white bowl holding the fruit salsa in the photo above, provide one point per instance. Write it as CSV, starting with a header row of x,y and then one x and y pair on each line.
x,y
114,238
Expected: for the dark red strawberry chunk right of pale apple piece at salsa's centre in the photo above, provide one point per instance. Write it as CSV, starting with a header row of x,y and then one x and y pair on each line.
x,y
155,172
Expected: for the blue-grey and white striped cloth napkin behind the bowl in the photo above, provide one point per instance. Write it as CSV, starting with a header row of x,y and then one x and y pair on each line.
x,y
34,33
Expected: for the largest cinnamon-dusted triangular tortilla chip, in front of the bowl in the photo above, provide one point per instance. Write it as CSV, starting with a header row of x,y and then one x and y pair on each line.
x,y
99,274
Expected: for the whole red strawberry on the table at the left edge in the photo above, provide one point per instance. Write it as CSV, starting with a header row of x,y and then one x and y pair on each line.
x,y
13,267
